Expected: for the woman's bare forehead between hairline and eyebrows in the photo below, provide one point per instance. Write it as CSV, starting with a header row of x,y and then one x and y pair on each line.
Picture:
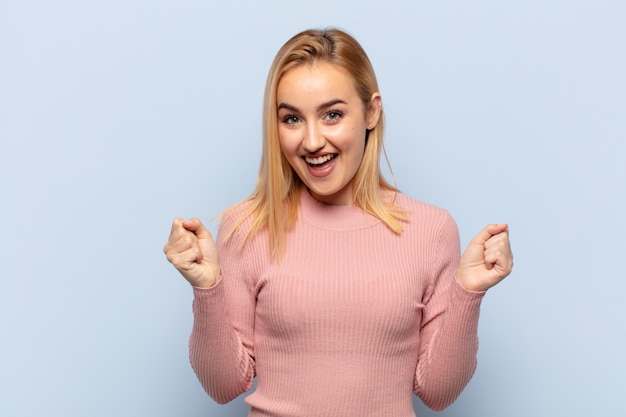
x,y
318,81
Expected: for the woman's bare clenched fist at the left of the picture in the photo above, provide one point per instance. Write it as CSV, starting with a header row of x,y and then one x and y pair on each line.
x,y
193,252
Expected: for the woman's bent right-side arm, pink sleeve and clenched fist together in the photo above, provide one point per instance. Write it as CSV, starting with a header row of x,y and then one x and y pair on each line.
x,y
448,338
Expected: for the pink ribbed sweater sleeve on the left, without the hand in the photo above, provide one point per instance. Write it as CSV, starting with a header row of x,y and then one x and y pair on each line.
x,y
221,343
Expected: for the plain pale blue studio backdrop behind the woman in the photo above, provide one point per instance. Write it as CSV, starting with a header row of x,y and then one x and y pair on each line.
x,y
117,116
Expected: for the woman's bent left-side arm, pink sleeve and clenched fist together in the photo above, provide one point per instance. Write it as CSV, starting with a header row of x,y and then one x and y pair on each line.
x,y
220,345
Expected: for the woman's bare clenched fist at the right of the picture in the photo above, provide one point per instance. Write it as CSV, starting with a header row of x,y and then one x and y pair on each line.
x,y
487,260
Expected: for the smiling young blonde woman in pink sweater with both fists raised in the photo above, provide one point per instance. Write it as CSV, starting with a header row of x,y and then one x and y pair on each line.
x,y
341,295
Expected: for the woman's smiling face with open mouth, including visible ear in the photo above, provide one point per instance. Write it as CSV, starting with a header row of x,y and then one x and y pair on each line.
x,y
322,125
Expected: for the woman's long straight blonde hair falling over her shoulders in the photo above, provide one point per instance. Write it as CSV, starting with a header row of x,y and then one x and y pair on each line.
x,y
274,202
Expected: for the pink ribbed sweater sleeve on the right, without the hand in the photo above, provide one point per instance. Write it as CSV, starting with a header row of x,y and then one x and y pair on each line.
x,y
448,335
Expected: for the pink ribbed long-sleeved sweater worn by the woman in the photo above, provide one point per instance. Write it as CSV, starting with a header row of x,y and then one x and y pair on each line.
x,y
352,322
